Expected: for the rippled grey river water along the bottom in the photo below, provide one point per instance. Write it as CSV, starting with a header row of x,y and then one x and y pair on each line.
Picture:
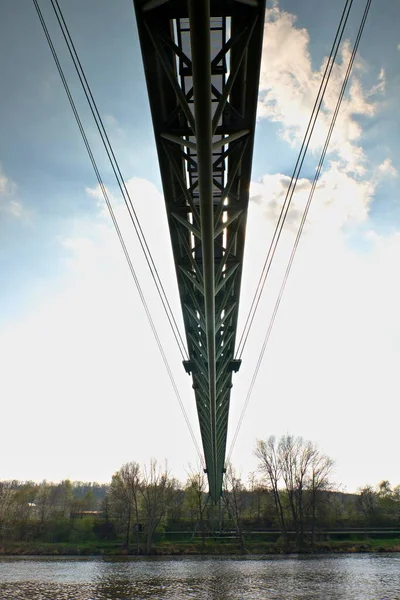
x,y
333,577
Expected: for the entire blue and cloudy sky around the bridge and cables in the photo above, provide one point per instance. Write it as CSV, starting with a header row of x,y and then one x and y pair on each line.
x,y
83,386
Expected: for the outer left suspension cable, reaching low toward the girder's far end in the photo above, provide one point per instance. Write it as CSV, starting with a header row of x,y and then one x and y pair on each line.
x,y
117,229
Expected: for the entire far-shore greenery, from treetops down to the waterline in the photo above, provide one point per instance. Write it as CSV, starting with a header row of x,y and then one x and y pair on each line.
x,y
290,505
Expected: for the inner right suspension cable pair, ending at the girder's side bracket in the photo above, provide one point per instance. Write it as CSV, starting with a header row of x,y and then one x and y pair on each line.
x,y
294,178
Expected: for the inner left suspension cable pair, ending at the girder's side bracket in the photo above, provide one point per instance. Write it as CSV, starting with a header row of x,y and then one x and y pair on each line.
x,y
119,178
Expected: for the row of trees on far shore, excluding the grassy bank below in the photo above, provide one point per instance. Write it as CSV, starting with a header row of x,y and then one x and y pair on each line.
x,y
292,494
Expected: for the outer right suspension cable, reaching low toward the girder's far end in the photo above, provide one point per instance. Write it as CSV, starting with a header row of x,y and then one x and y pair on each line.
x,y
302,223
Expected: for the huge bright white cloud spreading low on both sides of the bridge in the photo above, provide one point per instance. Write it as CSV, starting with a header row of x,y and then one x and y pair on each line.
x,y
331,360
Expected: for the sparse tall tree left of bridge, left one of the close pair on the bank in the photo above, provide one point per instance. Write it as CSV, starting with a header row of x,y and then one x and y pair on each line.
x,y
125,487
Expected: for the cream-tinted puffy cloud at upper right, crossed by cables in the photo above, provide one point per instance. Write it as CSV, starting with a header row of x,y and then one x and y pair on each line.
x,y
289,85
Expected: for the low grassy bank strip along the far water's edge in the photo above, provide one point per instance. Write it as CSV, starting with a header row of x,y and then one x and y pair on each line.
x,y
211,548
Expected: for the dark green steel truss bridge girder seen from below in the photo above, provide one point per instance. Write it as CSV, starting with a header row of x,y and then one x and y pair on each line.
x,y
202,64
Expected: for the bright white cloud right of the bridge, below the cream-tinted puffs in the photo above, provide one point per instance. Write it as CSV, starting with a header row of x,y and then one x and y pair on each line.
x,y
330,369
